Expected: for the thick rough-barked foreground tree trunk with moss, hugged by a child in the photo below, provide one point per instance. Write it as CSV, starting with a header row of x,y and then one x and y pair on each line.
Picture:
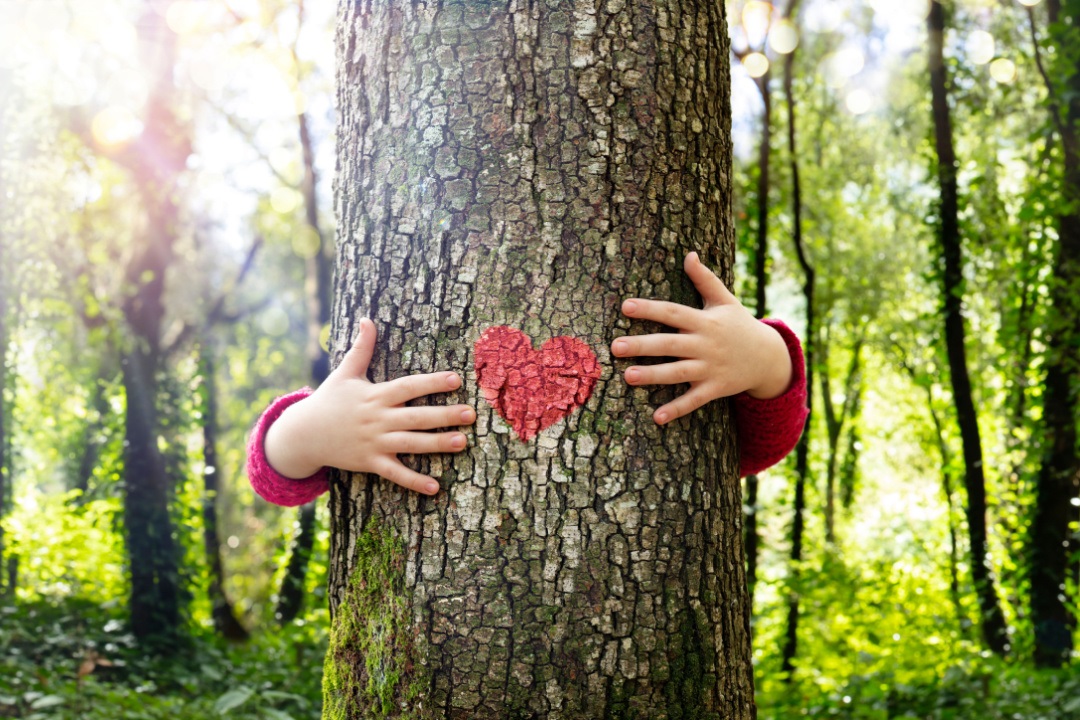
x,y
533,167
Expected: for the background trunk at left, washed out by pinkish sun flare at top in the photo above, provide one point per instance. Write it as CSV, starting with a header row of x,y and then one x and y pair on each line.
x,y
155,162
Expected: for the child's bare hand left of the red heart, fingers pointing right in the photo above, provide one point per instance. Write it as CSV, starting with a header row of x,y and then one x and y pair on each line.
x,y
361,427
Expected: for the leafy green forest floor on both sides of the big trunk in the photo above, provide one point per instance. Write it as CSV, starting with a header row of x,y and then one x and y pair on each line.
x,y
76,661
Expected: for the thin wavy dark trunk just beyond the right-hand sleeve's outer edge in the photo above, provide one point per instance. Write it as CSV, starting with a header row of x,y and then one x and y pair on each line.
x,y
803,450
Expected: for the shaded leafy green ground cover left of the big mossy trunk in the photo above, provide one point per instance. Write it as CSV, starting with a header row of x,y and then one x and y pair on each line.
x,y
74,658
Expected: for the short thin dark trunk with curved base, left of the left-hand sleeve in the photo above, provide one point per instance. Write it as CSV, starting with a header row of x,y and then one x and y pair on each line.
x,y
222,610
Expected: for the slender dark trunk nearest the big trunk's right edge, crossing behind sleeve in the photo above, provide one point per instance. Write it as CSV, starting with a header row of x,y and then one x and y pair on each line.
x,y
762,278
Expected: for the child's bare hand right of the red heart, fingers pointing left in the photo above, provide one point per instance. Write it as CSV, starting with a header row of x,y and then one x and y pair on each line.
x,y
726,351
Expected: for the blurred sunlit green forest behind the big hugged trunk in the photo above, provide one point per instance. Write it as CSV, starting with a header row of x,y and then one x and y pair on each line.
x,y
867,608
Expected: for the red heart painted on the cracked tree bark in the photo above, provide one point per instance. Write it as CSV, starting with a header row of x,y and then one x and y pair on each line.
x,y
534,389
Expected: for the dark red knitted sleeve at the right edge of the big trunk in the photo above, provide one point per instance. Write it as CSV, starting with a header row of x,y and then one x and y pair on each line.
x,y
768,430
